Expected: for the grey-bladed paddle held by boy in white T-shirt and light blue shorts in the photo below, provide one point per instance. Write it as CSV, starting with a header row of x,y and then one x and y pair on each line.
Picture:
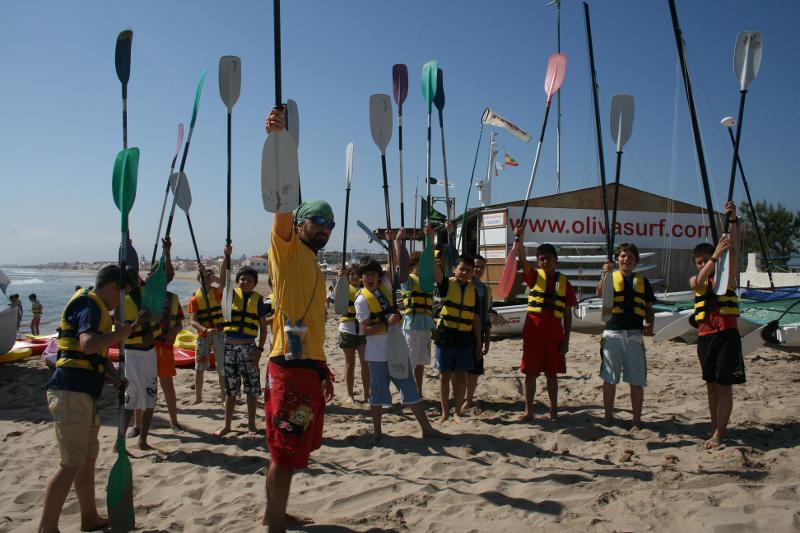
x,y
380,121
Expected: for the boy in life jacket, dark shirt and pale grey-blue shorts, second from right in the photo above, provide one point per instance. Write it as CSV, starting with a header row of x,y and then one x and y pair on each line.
x,y
622,344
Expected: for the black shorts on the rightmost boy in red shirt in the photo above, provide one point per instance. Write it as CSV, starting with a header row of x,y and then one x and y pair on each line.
x,y
721,358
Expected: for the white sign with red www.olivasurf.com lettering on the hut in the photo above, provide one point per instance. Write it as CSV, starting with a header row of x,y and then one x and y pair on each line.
x,y
647,229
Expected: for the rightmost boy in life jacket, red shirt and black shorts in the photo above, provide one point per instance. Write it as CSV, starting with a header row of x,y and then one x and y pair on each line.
x,y
719,346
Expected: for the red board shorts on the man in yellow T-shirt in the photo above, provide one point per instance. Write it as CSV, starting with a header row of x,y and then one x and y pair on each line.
x,y
294,408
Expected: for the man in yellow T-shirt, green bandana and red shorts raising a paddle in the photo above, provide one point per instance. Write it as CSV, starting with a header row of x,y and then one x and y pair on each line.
x,y
299,382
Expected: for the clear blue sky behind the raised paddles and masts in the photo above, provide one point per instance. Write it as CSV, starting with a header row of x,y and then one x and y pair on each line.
x,y
60,119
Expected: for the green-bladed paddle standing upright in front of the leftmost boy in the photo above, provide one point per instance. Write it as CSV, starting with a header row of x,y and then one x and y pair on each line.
x,y
119,490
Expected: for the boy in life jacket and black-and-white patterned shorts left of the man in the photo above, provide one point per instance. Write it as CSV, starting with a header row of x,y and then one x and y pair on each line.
x,y
243,352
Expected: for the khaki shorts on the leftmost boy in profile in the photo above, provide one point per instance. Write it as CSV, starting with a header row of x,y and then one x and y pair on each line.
x,y
77,425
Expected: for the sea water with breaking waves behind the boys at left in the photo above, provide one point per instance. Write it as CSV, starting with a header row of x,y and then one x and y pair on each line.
x,y
55,287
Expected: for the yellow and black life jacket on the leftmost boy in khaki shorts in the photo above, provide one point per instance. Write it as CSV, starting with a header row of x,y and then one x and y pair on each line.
x,y
70,353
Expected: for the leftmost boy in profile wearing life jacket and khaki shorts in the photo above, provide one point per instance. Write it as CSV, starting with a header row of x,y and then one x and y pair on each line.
x,y
84,336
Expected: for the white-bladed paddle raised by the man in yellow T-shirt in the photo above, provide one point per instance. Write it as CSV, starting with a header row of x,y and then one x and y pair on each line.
x,y
280,172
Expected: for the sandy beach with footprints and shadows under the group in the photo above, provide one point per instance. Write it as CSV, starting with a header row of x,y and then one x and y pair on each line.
x,y
494,474
